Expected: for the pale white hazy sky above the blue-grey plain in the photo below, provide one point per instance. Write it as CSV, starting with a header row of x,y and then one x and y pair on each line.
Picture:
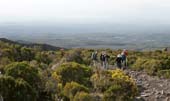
x,y
86,11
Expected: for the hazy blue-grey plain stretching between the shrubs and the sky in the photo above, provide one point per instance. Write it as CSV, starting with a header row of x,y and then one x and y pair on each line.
x,y
88,36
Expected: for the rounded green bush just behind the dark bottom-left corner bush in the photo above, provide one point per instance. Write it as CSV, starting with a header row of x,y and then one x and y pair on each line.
x,y
24,71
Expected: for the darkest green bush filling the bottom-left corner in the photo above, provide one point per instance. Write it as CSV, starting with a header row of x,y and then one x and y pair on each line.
x,y
16,90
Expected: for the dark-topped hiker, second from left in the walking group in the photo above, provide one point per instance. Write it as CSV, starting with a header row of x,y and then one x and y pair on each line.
x,y
104,59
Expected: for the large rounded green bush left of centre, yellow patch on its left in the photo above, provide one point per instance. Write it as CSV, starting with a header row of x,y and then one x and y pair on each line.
x,y
72,71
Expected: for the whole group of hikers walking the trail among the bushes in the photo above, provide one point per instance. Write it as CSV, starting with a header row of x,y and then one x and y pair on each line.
x,y
121,59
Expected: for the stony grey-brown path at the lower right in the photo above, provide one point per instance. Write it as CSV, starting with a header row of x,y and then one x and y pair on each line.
x,y
151,88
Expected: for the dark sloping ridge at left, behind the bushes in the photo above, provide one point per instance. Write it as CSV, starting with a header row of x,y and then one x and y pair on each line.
x,y
44,47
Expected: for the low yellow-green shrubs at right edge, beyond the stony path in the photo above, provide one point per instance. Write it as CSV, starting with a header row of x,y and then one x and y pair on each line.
x,y
153,63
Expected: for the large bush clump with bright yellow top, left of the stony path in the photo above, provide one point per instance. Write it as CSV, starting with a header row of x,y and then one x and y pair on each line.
x,y
115,84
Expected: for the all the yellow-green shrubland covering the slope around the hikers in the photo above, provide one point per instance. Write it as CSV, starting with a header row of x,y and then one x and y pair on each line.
x,y
34,74
